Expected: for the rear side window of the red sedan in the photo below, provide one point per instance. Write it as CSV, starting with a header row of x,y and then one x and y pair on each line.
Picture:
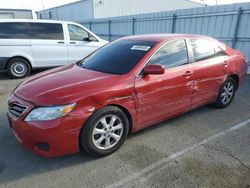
x,y
205,49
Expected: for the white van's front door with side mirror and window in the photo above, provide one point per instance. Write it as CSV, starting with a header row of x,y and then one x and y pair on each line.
x,y
81,43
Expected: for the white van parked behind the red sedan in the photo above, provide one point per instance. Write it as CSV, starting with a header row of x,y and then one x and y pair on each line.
x,y
29,44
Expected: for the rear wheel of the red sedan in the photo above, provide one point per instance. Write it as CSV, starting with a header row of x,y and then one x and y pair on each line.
x,y
226,93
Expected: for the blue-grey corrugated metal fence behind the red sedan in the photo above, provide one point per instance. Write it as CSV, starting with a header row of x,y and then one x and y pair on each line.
x,y
228,23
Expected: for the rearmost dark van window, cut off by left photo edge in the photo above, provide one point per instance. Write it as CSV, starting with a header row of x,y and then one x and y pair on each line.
x,y
14,30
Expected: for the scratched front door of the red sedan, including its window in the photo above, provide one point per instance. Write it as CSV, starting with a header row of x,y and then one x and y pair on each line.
x,y
160,96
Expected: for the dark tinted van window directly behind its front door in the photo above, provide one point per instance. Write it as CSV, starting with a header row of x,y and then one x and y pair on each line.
x,y
47,31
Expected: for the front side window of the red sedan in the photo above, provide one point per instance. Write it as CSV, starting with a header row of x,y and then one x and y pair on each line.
x,y
172,54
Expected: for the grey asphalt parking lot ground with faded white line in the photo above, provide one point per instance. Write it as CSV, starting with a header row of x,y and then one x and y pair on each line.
x,y
207,147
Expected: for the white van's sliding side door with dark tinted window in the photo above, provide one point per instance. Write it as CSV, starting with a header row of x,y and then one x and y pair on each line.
x,y
48,44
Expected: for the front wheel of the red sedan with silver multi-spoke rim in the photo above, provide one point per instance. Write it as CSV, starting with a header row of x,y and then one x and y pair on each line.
x,y
105,131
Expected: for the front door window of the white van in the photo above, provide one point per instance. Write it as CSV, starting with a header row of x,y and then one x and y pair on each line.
x,y
77,33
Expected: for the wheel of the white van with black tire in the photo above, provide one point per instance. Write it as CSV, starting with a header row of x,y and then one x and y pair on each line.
x,y
18,68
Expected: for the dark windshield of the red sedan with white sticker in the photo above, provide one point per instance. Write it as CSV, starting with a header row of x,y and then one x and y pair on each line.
x,y
118,57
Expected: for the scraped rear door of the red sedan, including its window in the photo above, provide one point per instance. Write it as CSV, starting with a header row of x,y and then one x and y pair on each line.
x,y
210,69
